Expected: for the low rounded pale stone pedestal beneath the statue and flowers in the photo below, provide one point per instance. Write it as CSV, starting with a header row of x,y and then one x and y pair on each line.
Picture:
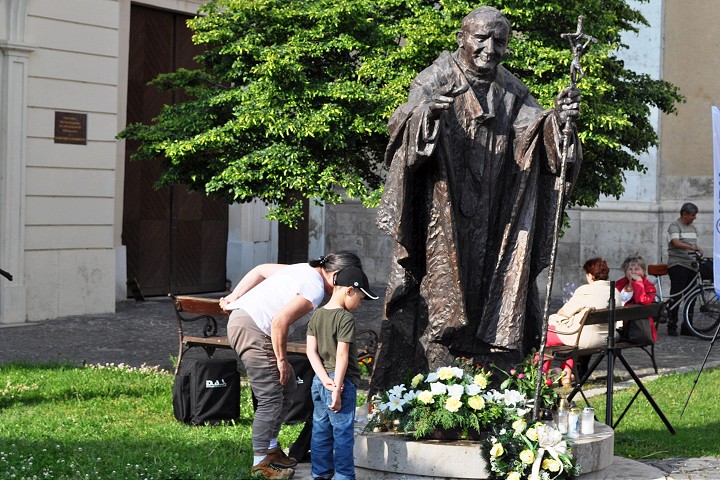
x,y
392,456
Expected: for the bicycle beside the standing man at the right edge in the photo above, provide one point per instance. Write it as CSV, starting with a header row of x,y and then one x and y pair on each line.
x,y
700,304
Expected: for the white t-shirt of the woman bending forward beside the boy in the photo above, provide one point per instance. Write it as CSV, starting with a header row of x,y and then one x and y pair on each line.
x,y
268,297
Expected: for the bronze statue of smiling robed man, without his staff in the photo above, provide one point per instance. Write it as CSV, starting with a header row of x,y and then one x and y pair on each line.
x,y
469,200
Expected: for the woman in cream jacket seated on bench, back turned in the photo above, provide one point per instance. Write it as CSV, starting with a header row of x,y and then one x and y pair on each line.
x,y
564,326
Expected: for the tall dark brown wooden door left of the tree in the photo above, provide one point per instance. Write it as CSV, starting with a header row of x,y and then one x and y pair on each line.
x,y
176,241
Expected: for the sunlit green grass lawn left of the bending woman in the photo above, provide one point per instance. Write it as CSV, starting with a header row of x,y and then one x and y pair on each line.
x,y
60,422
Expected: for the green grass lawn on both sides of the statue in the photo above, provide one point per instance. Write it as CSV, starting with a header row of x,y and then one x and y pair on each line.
x,y
62,422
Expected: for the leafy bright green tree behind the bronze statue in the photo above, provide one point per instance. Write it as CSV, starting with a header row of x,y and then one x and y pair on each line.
x,y
292,98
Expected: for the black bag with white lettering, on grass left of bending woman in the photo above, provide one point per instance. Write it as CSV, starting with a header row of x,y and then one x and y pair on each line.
x,y
207,391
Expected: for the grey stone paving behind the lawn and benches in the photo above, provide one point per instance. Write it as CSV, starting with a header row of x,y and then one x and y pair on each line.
x,y
146,333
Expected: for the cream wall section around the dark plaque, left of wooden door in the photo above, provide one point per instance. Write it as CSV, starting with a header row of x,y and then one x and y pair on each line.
x,y
69,202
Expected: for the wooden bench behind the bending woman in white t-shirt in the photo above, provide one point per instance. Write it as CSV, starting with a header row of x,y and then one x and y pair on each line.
x,y
206,312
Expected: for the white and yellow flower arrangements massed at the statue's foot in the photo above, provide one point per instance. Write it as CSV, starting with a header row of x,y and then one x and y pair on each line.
x,y
460,399
